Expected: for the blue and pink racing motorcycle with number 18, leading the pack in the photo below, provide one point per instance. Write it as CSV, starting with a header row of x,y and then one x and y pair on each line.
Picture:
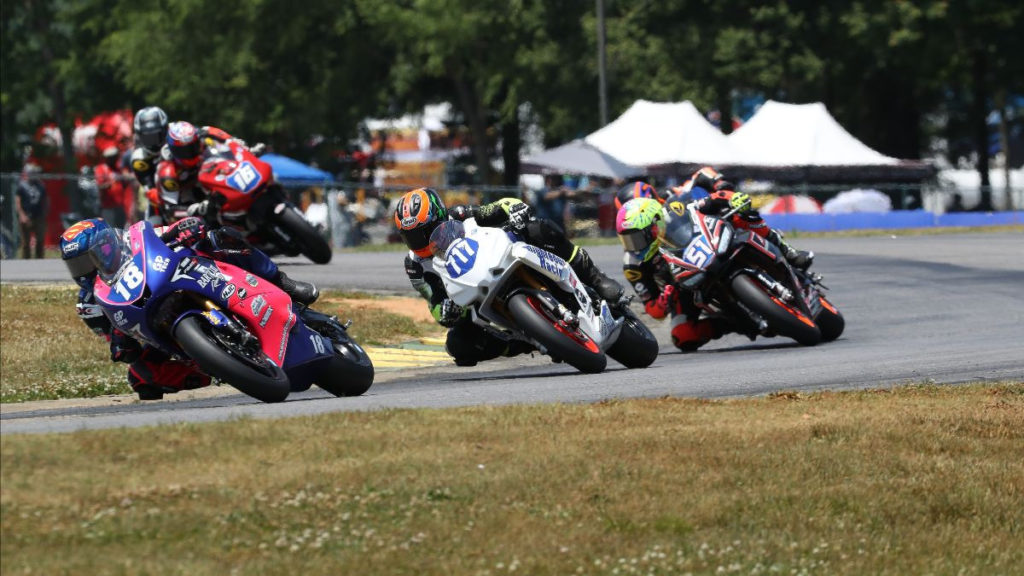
x,y
236,326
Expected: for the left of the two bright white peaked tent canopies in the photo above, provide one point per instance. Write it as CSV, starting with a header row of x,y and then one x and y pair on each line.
x,y
655,134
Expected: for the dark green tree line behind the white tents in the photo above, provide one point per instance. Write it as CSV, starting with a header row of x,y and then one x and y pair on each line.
x,y
895,73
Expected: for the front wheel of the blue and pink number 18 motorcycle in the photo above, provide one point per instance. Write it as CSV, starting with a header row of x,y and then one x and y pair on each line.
x,y
259,378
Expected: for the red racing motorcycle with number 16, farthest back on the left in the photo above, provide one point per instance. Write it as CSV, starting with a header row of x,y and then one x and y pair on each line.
x,y
244,195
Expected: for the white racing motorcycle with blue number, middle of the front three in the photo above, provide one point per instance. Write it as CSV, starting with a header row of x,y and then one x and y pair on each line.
x,y
519,292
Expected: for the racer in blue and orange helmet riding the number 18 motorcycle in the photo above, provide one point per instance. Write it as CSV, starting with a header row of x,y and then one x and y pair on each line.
x,y
152,373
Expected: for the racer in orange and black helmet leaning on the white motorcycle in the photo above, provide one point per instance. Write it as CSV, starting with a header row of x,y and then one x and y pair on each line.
x,y
422,211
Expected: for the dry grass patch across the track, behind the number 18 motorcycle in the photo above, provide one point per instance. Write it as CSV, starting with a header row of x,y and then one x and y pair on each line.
x,y
49,353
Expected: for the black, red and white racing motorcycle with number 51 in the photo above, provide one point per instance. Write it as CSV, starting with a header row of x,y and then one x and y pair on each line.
x,y
740,277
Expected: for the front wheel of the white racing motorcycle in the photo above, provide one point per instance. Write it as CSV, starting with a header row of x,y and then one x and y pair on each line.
x,y
571,346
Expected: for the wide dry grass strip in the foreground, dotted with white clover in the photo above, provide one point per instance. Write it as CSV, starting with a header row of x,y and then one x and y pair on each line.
x,y
911,481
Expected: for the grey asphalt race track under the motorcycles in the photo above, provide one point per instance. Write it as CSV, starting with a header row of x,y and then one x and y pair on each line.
x,y
945,309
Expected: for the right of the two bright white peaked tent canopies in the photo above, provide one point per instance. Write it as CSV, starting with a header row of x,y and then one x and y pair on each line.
x,y
789,135
